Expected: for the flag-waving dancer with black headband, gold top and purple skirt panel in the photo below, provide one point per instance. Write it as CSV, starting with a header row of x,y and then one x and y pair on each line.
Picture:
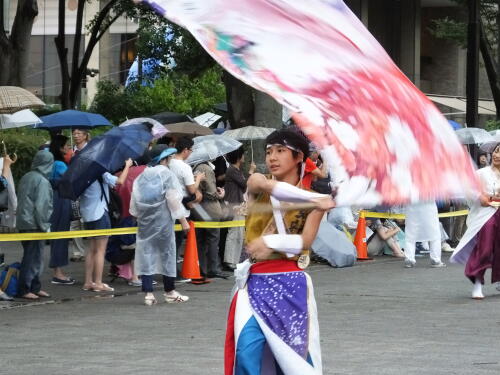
x,y
272,326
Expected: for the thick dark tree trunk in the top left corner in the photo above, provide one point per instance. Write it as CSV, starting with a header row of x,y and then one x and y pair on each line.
x,y
14,50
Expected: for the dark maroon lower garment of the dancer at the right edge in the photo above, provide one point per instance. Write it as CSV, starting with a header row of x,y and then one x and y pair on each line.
x,y
486,253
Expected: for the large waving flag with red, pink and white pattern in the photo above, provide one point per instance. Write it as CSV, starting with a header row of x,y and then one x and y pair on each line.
x,y
386,142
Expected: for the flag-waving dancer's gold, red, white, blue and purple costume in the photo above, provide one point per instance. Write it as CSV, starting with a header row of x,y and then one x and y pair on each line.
x,y
272,325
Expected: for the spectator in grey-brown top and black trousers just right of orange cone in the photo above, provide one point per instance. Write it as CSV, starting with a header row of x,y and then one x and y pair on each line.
x,y
208,238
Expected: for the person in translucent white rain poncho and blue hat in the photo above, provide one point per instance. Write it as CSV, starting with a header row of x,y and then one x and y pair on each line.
x,y
156,203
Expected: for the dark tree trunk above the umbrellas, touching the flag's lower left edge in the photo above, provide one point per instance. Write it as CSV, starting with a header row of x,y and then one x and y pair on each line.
x,y
240,104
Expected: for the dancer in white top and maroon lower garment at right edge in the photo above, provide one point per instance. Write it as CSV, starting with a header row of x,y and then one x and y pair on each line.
x,y
479,248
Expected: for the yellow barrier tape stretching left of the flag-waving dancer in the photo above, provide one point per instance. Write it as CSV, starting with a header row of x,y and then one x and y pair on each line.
x,y
107,232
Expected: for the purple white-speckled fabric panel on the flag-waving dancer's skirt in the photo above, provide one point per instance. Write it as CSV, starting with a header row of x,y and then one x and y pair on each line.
x,y
281,301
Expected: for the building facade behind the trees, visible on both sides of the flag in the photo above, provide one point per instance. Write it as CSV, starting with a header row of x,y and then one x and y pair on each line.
x,y
402,27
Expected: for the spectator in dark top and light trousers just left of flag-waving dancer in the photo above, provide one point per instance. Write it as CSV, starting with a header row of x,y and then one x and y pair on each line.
x,y
235,187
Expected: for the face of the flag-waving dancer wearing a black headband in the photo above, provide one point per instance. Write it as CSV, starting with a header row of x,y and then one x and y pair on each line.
x,y
281,162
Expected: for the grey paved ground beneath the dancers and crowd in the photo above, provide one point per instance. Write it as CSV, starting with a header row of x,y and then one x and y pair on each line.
x,y
375,318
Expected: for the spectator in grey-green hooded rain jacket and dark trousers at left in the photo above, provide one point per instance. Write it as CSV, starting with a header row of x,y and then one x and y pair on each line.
x,y
33,215
